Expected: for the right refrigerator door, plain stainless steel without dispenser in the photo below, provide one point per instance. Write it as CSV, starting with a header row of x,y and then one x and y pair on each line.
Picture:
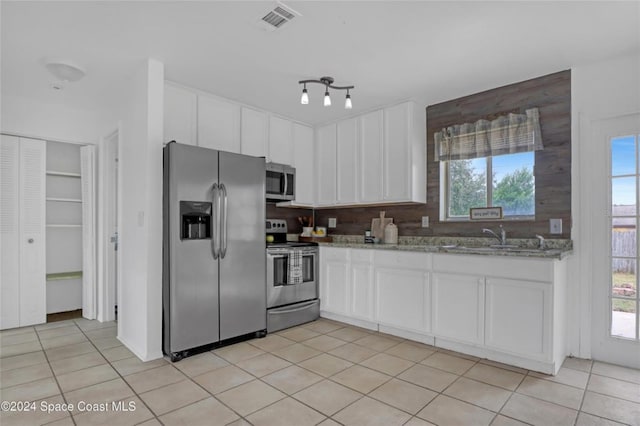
x,y
243,300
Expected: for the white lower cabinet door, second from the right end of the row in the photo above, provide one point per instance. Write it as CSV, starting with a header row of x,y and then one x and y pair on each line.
x,y
458,307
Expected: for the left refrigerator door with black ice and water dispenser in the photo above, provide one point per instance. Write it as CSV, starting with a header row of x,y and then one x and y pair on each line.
x,y
190,275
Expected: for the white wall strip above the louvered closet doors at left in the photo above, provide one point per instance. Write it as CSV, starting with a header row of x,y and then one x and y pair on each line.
x,y
48,121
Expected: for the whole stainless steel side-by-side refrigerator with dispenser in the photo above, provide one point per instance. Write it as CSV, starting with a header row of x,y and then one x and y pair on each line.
x,y
214,264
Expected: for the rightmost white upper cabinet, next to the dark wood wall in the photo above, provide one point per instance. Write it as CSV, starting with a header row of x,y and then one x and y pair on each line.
x,y
404,161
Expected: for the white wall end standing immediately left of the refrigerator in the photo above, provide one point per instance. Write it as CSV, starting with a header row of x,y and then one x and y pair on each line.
x,y
140,221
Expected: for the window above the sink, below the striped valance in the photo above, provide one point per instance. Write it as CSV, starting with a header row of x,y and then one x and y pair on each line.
x,y
503,180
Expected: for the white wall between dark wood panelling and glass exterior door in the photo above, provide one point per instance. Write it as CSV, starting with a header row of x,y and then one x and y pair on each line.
x,y
600,90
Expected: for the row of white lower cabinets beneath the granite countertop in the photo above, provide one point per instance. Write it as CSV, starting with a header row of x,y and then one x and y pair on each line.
x,y
507,309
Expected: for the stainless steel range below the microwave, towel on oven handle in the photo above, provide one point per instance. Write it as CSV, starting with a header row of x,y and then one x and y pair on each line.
x,y
292,279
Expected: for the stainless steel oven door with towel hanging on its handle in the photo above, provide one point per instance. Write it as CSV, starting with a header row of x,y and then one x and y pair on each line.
x,y
279,291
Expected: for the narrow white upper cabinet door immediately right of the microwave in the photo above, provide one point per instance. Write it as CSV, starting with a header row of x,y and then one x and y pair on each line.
x,y
304,164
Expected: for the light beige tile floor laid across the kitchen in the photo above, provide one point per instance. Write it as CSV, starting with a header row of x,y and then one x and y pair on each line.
x,y
323,372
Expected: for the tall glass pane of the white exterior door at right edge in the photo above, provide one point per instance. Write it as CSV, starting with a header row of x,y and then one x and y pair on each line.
x,y
624,218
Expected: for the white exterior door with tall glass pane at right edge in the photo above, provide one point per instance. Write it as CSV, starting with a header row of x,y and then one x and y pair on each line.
x,y
616,186
